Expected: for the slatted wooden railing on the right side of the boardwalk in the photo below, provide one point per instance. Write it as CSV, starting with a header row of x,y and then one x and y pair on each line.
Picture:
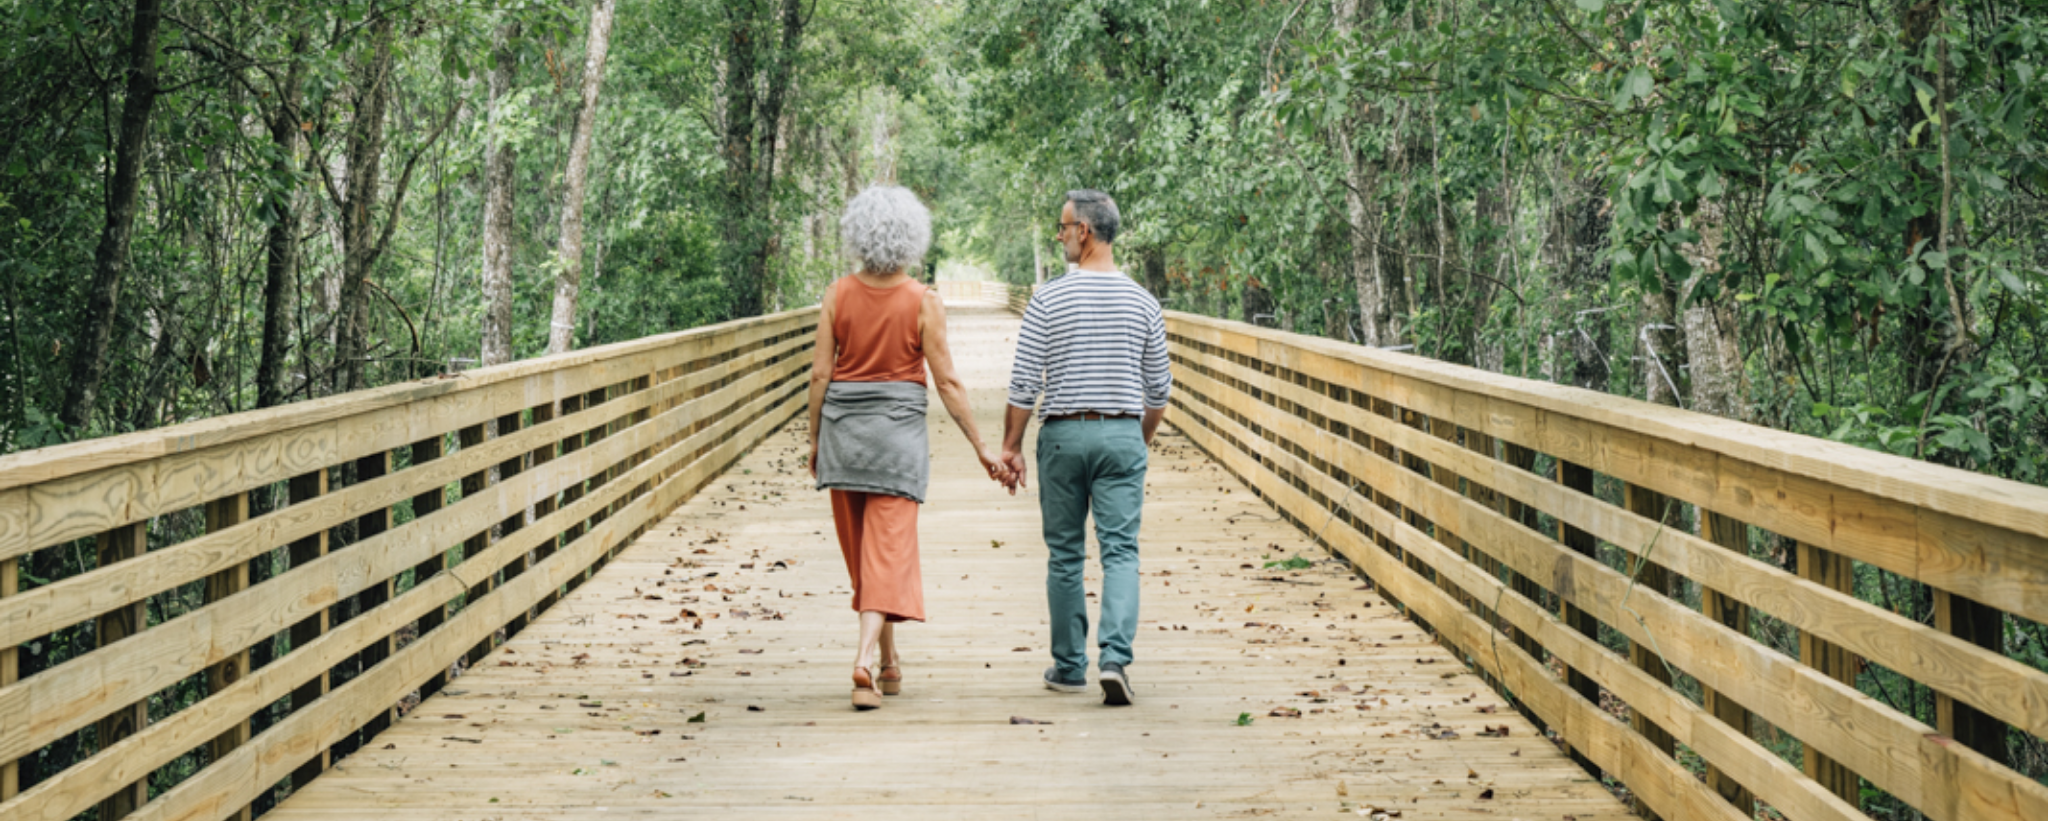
x,y
1525,523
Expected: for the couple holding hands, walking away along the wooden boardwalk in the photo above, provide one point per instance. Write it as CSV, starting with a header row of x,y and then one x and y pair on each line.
x,y
1091,363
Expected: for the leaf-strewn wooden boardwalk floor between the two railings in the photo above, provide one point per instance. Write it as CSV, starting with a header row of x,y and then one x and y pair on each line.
x,y
706,675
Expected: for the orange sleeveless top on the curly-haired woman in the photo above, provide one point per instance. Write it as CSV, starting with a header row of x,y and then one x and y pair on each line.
x,y
878,333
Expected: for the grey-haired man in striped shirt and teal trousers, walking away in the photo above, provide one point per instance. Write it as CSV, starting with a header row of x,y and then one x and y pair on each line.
x,y
1095,349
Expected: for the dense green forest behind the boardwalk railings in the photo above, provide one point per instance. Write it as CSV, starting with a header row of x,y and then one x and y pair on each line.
x,y
1816,216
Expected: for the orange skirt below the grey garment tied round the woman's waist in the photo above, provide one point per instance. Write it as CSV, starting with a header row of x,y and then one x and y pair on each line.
x,y
880,539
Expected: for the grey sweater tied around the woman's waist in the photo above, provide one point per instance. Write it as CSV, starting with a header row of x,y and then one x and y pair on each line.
x,y
871,439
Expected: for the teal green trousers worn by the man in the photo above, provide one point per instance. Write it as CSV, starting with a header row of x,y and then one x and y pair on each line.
x,y
1093,466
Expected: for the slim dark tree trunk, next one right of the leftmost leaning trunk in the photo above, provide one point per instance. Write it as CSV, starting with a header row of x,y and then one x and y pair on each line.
x,y
282,241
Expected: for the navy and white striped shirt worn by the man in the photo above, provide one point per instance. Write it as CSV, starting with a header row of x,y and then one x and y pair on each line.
x,y
1093,341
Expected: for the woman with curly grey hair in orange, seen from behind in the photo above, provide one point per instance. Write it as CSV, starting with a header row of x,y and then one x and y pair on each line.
x,y
876,339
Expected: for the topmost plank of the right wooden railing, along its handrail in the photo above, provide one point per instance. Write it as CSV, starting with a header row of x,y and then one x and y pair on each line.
x,y
1996,560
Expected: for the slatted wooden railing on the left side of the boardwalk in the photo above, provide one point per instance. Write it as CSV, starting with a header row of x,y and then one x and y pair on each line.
x,y
263,593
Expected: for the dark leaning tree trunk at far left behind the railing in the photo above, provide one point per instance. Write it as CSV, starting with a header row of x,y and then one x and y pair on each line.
x,y
110,261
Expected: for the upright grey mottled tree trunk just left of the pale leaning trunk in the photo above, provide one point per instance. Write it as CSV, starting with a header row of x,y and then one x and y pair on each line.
x,y
501,163
